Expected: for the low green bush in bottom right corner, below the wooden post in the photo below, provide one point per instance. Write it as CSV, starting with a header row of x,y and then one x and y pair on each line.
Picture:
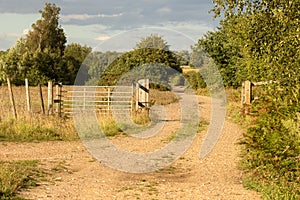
x,y
271,156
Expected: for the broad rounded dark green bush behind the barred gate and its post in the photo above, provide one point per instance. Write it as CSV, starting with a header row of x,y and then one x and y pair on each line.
x,y
157,58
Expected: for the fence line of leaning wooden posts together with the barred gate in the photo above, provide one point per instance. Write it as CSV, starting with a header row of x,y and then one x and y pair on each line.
x,y
69,99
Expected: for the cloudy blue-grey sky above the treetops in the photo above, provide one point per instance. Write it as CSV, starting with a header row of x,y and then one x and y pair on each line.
x,y
115,25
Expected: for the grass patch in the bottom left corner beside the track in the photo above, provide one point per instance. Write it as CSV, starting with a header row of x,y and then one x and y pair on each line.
x,y
16,175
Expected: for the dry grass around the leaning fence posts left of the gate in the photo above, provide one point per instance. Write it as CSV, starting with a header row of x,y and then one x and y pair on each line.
x,y
31,126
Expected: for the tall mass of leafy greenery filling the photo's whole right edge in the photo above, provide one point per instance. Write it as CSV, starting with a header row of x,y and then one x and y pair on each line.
x,y
266,35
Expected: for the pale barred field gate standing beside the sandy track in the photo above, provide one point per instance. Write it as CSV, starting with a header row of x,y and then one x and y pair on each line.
x,y
101,99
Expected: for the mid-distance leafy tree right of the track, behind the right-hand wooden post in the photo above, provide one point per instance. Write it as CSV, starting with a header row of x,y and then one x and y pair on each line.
x,y
223,48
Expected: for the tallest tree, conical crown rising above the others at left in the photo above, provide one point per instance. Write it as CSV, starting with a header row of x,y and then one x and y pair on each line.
x,y
47,36
